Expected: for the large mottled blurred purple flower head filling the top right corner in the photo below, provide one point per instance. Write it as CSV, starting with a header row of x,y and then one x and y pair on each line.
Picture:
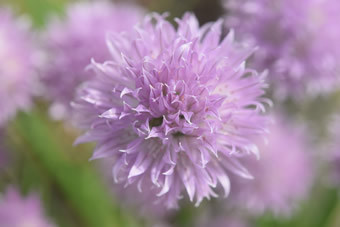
x,y
298,41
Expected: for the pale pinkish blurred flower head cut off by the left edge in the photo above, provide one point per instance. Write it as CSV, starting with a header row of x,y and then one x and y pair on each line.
x,y
16,66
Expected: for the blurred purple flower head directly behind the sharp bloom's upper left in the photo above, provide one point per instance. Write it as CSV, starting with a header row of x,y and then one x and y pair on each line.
x,y
72,42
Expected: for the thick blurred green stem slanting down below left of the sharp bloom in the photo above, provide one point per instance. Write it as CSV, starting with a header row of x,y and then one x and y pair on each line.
x,y
78,181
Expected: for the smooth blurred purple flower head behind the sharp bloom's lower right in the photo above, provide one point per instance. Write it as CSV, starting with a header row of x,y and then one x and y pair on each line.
x,y
282,176
